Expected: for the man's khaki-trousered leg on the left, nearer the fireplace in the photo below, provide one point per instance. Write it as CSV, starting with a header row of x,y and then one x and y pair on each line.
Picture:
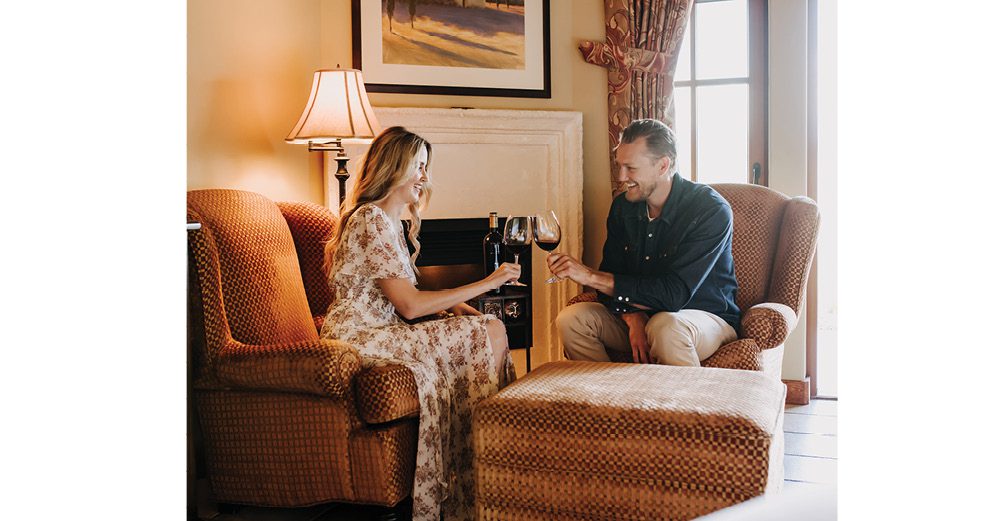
x,y
588,328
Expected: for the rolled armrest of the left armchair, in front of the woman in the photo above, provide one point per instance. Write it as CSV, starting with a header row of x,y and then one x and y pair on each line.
x,y
321,367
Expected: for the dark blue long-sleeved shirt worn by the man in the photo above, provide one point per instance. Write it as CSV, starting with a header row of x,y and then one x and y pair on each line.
x,y
681,260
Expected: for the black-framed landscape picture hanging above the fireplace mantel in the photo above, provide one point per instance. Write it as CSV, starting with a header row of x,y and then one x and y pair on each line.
x,y
459,47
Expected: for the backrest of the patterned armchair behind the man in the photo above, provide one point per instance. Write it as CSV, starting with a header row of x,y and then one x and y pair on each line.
x,y
774,239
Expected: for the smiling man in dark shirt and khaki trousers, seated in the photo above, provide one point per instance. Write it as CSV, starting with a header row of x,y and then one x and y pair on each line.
x,y
666,283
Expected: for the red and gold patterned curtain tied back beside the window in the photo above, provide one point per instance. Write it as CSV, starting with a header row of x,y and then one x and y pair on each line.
x,y
643,39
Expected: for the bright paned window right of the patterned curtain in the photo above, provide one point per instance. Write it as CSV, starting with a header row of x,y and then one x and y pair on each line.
x,y
720,108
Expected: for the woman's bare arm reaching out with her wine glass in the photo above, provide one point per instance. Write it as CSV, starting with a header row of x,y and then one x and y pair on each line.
x,y
413,303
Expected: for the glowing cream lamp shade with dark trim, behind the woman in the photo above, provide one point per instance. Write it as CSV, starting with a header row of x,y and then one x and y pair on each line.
x,y
337,108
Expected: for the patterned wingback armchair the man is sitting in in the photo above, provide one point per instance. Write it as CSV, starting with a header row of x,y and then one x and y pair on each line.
x,y
774,240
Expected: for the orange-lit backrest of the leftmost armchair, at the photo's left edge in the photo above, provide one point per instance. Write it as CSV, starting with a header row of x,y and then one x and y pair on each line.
x,y
248,271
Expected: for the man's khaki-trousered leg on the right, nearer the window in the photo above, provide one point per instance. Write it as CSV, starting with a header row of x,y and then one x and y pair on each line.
x,y
686,337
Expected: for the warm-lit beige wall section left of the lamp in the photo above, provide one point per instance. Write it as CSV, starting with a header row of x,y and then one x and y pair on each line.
x,y
250,65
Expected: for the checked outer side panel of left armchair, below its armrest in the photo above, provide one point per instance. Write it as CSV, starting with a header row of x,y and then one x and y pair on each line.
x,y
276,449
